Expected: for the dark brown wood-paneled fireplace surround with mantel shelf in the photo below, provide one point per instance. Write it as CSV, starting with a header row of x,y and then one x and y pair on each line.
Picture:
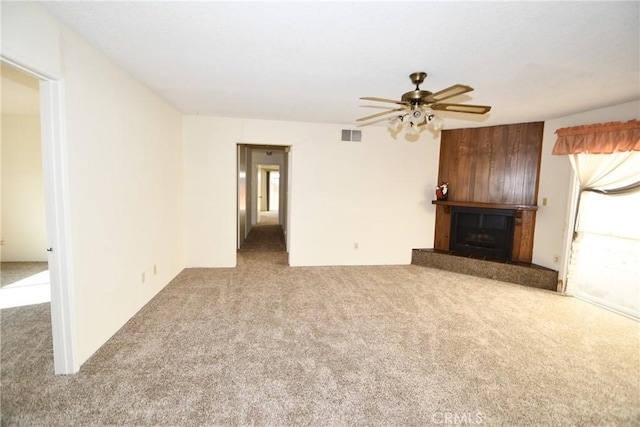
x,y
494,167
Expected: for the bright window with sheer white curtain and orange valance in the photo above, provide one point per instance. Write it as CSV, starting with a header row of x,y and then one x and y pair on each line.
x,y
604,266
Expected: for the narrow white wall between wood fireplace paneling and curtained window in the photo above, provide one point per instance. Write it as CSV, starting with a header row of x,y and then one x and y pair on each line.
x,y
557,185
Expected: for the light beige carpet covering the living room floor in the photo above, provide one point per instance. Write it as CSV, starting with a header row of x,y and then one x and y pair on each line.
x,y
270,345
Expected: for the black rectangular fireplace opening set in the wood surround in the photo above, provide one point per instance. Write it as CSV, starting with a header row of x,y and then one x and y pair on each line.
x,y
482,232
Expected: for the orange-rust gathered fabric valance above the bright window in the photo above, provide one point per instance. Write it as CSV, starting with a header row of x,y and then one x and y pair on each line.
x,y
603,138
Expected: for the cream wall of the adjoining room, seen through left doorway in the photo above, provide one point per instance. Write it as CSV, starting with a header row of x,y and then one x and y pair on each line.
x,y
23,218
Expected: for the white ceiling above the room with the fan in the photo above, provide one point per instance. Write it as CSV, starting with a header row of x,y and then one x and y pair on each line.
x,y
311,61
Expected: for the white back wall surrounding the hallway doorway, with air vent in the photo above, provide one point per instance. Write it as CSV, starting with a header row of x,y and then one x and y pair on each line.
x,y
376,193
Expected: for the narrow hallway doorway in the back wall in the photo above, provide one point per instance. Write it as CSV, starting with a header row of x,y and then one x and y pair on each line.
x,y
263,183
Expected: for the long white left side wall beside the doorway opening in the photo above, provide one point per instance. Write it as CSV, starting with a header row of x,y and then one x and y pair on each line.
x,y
124,161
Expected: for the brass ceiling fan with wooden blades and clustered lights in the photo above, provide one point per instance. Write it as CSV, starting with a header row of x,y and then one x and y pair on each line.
x,y
417,106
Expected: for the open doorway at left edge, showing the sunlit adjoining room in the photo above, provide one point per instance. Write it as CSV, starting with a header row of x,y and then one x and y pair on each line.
x,y
24,269
